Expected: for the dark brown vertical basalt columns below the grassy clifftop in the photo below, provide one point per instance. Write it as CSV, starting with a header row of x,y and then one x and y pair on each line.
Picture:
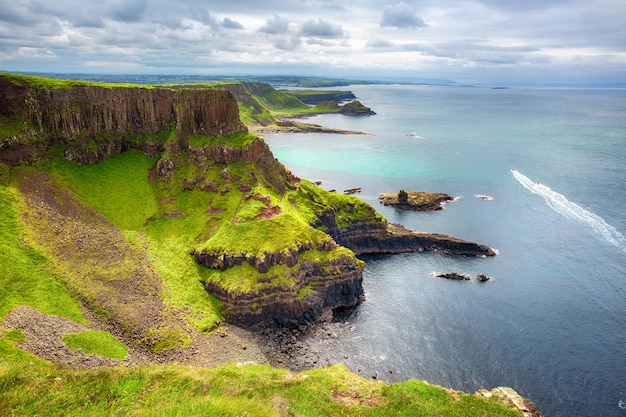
x,y
95,122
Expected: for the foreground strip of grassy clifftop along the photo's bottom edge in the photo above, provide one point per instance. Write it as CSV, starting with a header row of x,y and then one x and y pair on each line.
x,y
232,390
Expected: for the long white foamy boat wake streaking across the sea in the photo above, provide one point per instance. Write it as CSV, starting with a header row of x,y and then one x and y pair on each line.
x,y
563,206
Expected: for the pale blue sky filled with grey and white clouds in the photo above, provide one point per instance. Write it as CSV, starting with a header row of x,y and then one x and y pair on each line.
x,y
469,41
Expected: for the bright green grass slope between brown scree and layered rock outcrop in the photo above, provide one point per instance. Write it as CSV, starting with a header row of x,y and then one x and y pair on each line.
x,y
119,188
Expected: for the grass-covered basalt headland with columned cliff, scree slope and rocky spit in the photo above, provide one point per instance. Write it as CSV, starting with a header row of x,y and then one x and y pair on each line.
x,y
211,199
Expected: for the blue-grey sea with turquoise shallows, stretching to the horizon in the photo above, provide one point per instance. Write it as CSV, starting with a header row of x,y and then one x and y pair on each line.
x,y
552,321
